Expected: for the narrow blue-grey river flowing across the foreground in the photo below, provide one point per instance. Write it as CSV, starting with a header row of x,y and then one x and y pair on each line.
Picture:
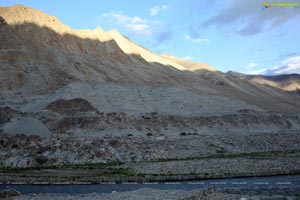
x,y
291,182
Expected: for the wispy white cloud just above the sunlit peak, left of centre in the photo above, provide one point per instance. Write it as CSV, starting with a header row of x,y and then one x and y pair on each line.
x,y
132,24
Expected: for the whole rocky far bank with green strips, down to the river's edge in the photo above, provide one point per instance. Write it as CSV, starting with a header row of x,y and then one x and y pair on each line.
x,y
156,158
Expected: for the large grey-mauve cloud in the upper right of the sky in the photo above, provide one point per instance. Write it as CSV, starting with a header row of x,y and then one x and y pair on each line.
x,y
248,17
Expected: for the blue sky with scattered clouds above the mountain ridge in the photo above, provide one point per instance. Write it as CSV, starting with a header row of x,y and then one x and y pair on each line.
x,y
237,35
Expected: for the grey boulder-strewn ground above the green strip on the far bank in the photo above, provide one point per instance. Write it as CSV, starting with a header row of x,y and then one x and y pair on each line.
x,y
23,151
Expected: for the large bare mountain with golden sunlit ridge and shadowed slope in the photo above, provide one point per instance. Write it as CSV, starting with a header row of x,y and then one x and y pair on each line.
x,y
43,55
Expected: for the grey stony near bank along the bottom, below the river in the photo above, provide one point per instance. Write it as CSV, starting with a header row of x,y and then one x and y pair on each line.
x,y
152,194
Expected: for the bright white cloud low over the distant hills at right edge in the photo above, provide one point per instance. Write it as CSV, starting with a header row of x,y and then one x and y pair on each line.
x,y
287,66
